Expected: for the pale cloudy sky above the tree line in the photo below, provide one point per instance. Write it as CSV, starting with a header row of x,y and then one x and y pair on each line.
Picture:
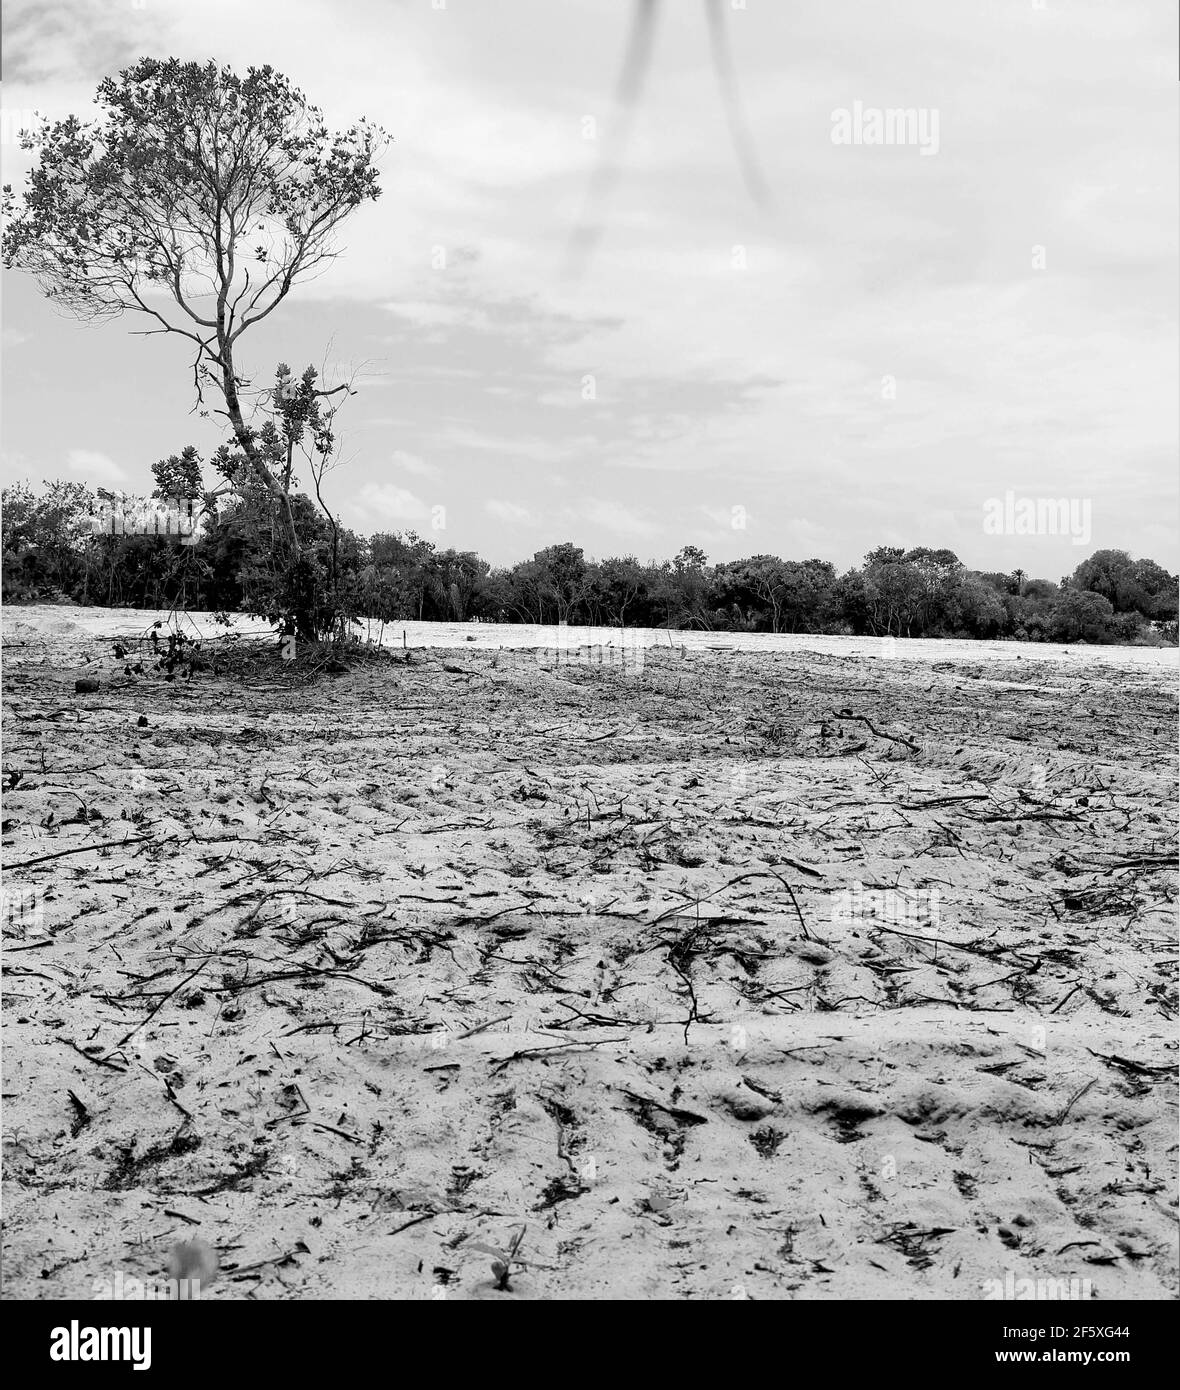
x,y
899,336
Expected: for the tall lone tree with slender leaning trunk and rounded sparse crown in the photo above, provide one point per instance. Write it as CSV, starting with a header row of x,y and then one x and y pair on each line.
x,y
190,177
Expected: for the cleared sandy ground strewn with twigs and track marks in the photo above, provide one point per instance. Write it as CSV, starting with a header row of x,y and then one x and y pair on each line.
x,y
718,990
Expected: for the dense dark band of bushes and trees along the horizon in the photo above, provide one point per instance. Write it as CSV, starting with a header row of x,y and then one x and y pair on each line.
x,y
58,546
